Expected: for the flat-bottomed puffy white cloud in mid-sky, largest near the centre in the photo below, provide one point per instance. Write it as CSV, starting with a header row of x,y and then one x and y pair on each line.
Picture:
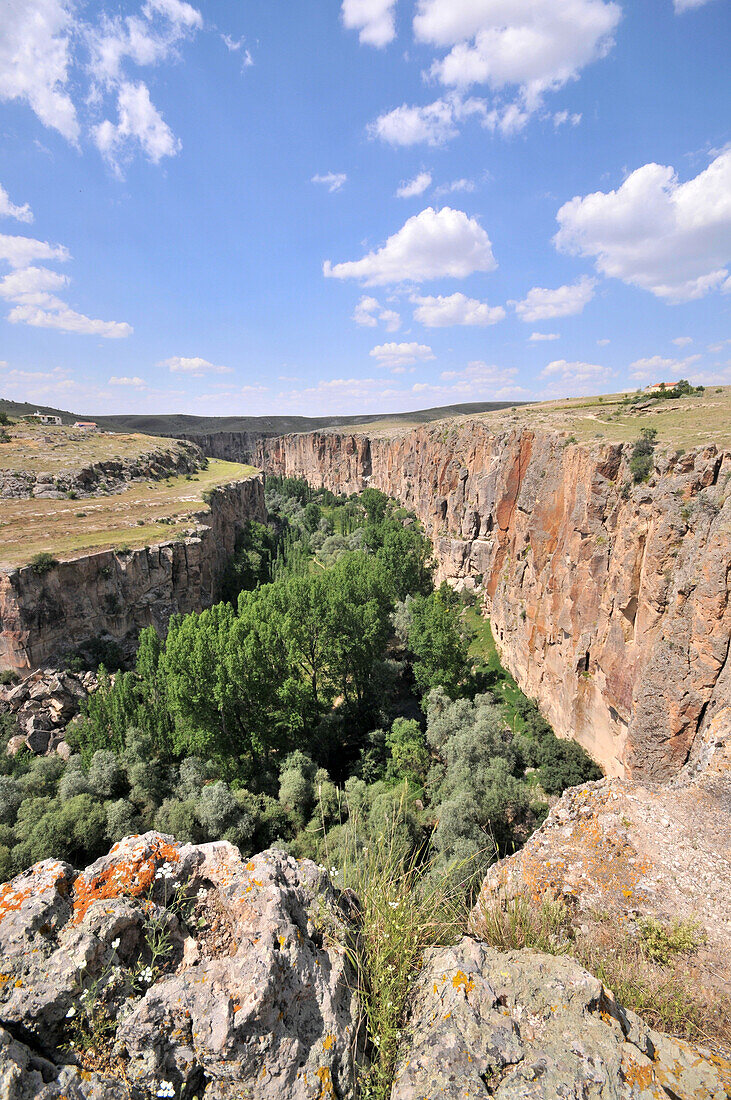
x,y
431,245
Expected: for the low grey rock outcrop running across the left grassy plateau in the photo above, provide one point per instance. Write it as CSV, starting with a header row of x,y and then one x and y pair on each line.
x,y
109,476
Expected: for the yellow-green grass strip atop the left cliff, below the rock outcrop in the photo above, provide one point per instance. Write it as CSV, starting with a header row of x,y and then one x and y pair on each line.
x,y
31,527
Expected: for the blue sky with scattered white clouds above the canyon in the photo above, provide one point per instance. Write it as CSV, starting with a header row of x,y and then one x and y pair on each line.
x,y
247,207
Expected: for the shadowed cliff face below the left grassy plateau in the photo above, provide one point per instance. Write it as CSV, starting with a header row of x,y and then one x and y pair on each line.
x,y
117,593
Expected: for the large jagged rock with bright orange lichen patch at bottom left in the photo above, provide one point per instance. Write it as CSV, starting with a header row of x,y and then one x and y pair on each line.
x,y
250,995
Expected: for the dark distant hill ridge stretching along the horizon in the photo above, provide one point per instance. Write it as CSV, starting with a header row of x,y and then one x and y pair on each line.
x,y
175,424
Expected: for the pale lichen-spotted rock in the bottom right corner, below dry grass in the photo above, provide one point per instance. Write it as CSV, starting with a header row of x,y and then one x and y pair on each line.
x,y
517,1025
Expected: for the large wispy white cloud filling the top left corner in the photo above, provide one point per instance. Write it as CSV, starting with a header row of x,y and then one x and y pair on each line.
x,y
35,61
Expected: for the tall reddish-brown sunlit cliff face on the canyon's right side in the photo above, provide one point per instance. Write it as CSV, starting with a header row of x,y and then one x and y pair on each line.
x,y
611,603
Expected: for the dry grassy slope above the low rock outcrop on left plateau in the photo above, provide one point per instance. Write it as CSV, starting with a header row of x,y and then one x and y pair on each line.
x,y
61,450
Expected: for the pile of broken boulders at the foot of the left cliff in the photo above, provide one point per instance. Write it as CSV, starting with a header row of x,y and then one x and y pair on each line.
x,y
42,707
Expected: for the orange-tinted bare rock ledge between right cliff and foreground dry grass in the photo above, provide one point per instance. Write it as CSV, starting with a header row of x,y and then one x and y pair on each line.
x,y
622,852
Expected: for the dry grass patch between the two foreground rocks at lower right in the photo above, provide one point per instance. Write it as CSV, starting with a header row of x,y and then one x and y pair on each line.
x,y
647,967
